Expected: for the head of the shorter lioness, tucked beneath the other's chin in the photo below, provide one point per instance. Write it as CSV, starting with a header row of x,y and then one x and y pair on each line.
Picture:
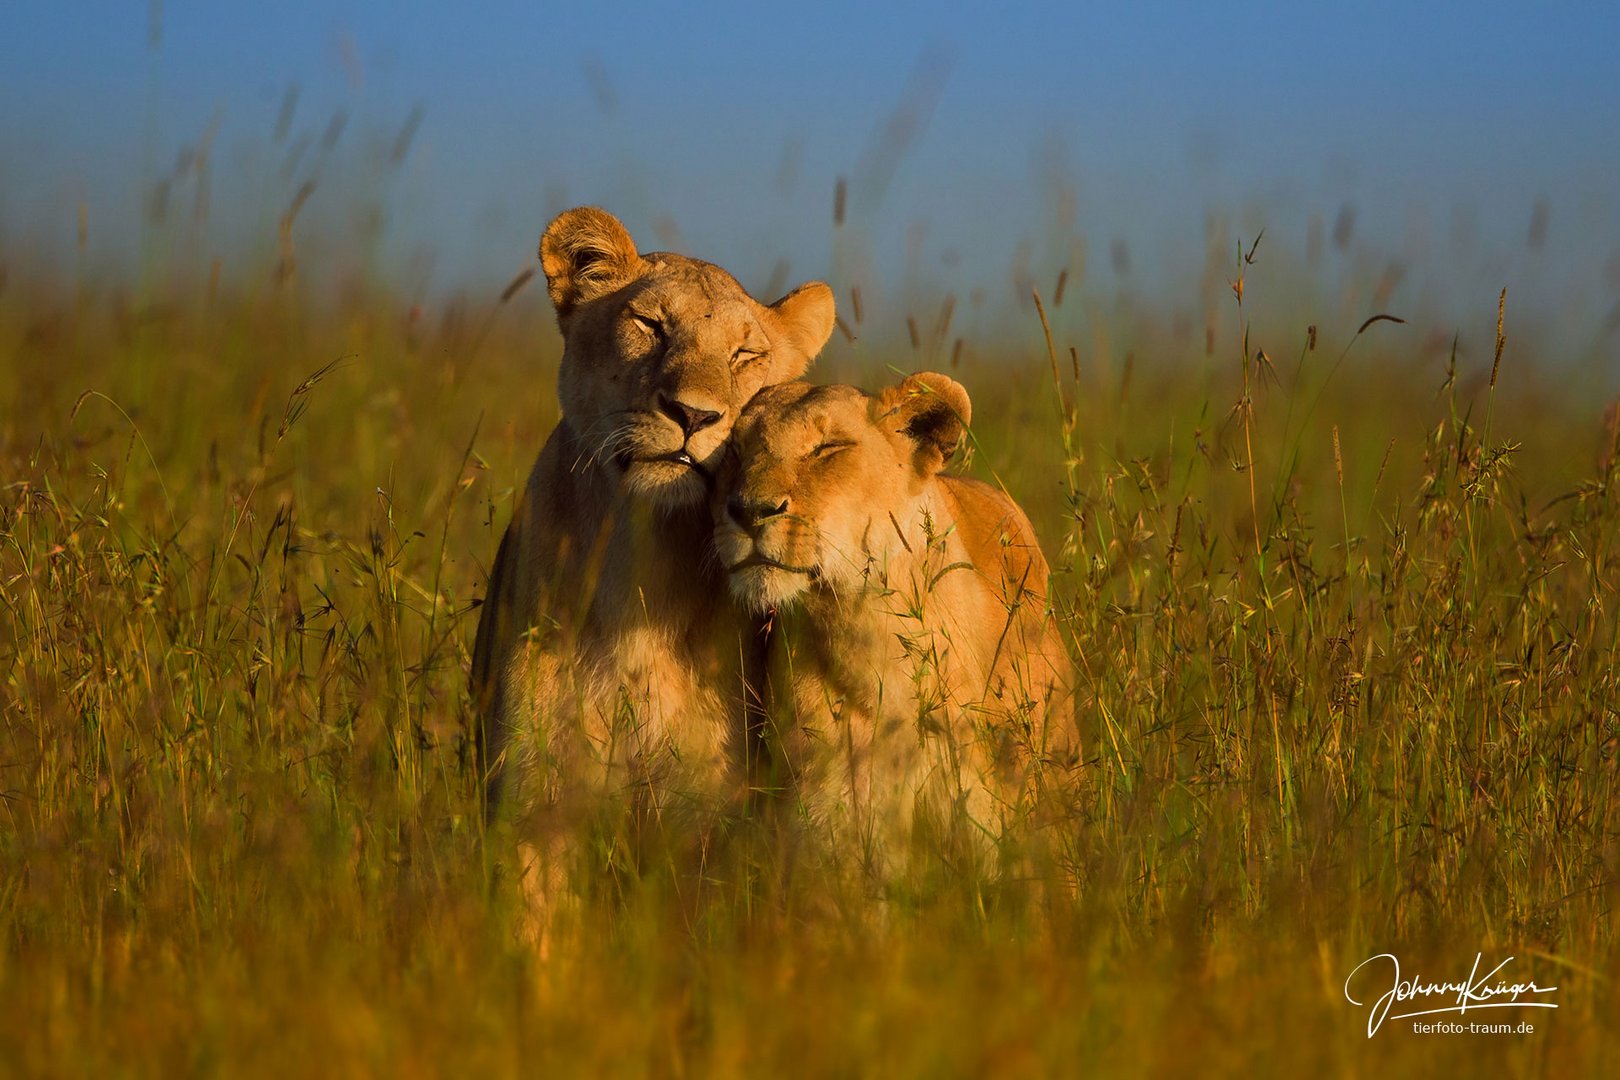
x,y
824,478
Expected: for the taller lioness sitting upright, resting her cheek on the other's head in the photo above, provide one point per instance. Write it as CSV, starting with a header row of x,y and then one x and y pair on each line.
x,y
608,655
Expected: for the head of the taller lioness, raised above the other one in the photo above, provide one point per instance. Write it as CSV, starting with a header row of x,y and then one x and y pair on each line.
x,y
662,352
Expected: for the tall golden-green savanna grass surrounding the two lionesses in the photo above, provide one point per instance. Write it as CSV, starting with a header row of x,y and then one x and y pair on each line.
x,y
1342,598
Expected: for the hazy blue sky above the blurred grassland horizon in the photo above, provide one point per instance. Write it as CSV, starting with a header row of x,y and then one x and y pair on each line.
x,y
725,129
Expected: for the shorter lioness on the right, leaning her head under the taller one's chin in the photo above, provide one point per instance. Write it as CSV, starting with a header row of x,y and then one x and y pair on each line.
x,y
914,663
